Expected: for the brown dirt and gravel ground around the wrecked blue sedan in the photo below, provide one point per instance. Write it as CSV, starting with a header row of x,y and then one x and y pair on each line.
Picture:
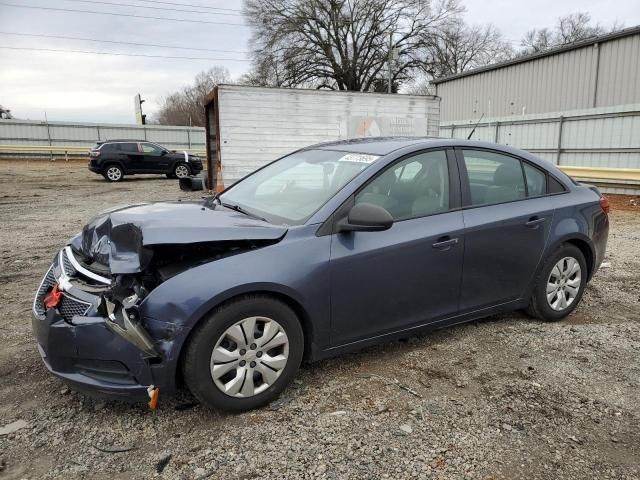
x,y
505,398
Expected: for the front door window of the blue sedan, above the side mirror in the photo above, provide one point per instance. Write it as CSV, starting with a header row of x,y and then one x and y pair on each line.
x,y
416,187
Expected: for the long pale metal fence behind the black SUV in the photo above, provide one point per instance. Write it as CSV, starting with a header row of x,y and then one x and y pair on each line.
x,y
28,138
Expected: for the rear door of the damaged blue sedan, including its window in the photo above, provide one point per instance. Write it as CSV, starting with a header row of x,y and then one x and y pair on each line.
x,y
507,221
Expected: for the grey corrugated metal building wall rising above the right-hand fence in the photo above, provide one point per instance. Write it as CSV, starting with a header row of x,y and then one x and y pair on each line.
x,y
567,80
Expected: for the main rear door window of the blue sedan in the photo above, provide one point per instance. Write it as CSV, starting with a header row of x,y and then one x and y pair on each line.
x,y
493,178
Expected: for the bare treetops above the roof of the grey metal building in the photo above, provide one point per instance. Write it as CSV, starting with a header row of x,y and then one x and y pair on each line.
x,y
568,29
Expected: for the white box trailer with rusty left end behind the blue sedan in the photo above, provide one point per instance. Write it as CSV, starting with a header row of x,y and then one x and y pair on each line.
x,y
247,127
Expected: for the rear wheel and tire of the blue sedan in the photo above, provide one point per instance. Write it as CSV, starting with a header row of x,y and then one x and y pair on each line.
x,y
559,270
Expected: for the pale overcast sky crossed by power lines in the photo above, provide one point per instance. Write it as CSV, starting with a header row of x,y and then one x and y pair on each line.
x,y
100,88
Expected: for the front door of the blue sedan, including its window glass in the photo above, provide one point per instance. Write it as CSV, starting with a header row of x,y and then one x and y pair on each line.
x,y
409,275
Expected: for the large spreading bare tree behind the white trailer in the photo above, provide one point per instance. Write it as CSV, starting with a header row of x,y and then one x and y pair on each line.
x,y
343,44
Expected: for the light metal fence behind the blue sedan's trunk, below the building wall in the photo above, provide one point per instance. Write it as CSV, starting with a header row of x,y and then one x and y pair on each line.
x,y
601,145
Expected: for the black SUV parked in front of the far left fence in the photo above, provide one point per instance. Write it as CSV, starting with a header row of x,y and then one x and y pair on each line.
x,y
114,159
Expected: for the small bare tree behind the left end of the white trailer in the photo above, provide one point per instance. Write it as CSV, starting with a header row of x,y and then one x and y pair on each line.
x,y
186,107
